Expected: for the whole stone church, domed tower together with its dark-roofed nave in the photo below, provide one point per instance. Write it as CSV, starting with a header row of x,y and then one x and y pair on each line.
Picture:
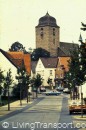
x,y
48,37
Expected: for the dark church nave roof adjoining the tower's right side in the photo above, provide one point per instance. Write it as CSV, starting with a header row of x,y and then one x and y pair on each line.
x,y
65,49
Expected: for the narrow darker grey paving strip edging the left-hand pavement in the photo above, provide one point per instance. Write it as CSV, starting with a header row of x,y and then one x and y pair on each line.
x,y
21,110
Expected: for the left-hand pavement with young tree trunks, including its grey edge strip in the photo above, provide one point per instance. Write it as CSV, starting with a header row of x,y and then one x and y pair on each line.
x,y
15,106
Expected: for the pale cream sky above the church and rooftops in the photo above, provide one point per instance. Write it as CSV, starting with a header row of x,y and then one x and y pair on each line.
x,y
18,19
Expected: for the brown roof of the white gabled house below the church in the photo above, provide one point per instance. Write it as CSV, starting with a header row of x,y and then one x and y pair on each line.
x,y
49,62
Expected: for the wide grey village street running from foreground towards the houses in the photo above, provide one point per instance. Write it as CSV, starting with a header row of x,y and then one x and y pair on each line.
x,y
46,113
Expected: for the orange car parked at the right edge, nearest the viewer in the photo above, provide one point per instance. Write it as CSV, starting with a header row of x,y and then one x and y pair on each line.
x,y
75,106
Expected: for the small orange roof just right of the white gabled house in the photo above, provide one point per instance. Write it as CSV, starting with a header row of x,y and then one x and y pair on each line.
x,y
64,62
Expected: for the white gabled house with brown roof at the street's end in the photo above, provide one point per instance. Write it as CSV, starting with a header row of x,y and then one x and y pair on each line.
x,y
46,68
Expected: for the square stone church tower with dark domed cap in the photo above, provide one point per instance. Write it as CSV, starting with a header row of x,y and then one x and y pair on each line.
x,y
47,34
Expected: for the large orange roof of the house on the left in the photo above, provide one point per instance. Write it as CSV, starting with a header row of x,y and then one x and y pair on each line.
x,y
18,59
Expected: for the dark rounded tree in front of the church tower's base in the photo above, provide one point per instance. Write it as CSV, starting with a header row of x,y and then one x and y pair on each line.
x,y
39,52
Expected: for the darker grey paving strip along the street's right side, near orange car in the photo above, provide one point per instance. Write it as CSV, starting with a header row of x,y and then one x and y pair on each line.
x,y
65,121
